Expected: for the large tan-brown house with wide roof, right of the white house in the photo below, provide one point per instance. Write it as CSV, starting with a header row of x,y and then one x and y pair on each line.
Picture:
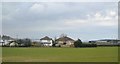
x,y
65,41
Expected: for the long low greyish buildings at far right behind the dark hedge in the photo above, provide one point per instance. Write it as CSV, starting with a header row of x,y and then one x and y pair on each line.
x,y
106,42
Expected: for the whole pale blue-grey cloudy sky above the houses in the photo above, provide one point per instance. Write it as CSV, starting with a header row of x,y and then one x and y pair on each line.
x,y
84,20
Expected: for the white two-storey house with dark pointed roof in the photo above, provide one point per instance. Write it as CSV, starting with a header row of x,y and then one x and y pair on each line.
x,y
46,41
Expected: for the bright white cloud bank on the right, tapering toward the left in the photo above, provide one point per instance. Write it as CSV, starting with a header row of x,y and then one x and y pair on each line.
x,y
104,20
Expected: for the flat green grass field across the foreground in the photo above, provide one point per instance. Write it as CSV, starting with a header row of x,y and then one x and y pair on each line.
x,y
99,54
